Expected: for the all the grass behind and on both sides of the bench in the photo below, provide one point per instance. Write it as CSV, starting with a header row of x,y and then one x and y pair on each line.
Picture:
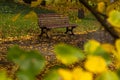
x,y
23,26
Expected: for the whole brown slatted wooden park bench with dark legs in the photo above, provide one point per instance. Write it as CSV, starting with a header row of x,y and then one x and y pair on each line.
x,y
53,20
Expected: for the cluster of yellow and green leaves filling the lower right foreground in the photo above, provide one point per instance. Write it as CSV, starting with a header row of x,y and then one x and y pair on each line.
x,y
97,59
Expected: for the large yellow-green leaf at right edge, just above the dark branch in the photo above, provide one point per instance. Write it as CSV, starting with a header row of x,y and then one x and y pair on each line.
x,y
114,18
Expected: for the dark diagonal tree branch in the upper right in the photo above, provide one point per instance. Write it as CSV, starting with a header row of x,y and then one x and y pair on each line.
x,y
102,19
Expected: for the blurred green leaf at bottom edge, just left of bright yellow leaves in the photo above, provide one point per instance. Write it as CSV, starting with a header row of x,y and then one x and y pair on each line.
x,y
52,75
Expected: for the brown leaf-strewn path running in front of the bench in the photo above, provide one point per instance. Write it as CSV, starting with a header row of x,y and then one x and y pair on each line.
x,y
46,46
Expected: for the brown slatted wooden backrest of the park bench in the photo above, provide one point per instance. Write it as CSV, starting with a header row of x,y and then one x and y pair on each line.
x,y
52,19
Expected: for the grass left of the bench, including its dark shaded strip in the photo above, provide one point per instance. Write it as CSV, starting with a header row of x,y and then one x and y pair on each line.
x,y
21,26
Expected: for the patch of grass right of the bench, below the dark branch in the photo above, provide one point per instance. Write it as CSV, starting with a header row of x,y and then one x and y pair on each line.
x,y
89,23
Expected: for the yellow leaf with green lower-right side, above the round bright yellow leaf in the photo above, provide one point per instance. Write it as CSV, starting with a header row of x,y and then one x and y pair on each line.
x,y
96,50
